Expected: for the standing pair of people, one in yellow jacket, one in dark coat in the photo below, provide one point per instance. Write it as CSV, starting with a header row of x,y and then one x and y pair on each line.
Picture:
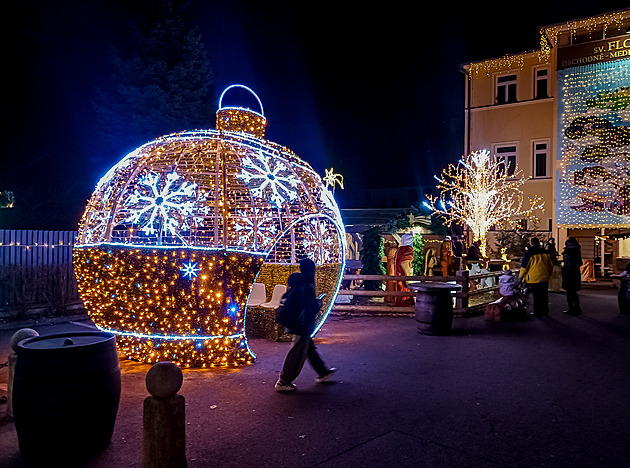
x,y
537,267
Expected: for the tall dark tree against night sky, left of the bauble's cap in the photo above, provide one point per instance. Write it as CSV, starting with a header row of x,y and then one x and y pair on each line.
x,y
161,84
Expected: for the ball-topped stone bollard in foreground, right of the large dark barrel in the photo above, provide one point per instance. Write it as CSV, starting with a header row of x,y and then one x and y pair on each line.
x,y
164,418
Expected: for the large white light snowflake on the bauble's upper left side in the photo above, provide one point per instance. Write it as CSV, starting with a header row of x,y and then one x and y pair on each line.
x,y
163,204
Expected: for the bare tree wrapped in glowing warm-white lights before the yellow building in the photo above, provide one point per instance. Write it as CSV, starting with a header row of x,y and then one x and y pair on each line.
x,y
481,192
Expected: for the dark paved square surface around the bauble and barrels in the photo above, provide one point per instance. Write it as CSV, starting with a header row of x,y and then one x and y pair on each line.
x,y
550,392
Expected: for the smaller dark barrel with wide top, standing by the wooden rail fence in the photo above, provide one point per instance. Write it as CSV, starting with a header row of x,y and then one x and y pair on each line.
x,y
434,307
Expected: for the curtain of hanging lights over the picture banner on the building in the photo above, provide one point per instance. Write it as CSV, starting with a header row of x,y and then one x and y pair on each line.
x,y
593,156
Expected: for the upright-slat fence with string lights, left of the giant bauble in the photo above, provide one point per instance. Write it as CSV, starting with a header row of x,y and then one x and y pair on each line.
x,y
36,271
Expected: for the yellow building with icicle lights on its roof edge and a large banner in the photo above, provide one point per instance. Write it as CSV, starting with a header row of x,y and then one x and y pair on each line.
x,y
561,115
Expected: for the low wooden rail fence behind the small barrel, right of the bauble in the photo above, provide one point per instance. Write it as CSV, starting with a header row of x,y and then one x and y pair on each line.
x,y
474,295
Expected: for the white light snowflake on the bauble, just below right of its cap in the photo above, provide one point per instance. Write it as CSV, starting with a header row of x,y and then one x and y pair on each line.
x,y
276,184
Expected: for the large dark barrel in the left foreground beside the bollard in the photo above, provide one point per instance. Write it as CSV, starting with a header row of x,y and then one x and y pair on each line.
x,y
66,392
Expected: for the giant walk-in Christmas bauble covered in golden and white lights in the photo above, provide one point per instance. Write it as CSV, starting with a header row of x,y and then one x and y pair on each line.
x,y
176,233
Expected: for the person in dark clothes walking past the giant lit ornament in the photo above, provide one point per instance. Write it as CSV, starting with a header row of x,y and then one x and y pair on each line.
x,y
303,347
